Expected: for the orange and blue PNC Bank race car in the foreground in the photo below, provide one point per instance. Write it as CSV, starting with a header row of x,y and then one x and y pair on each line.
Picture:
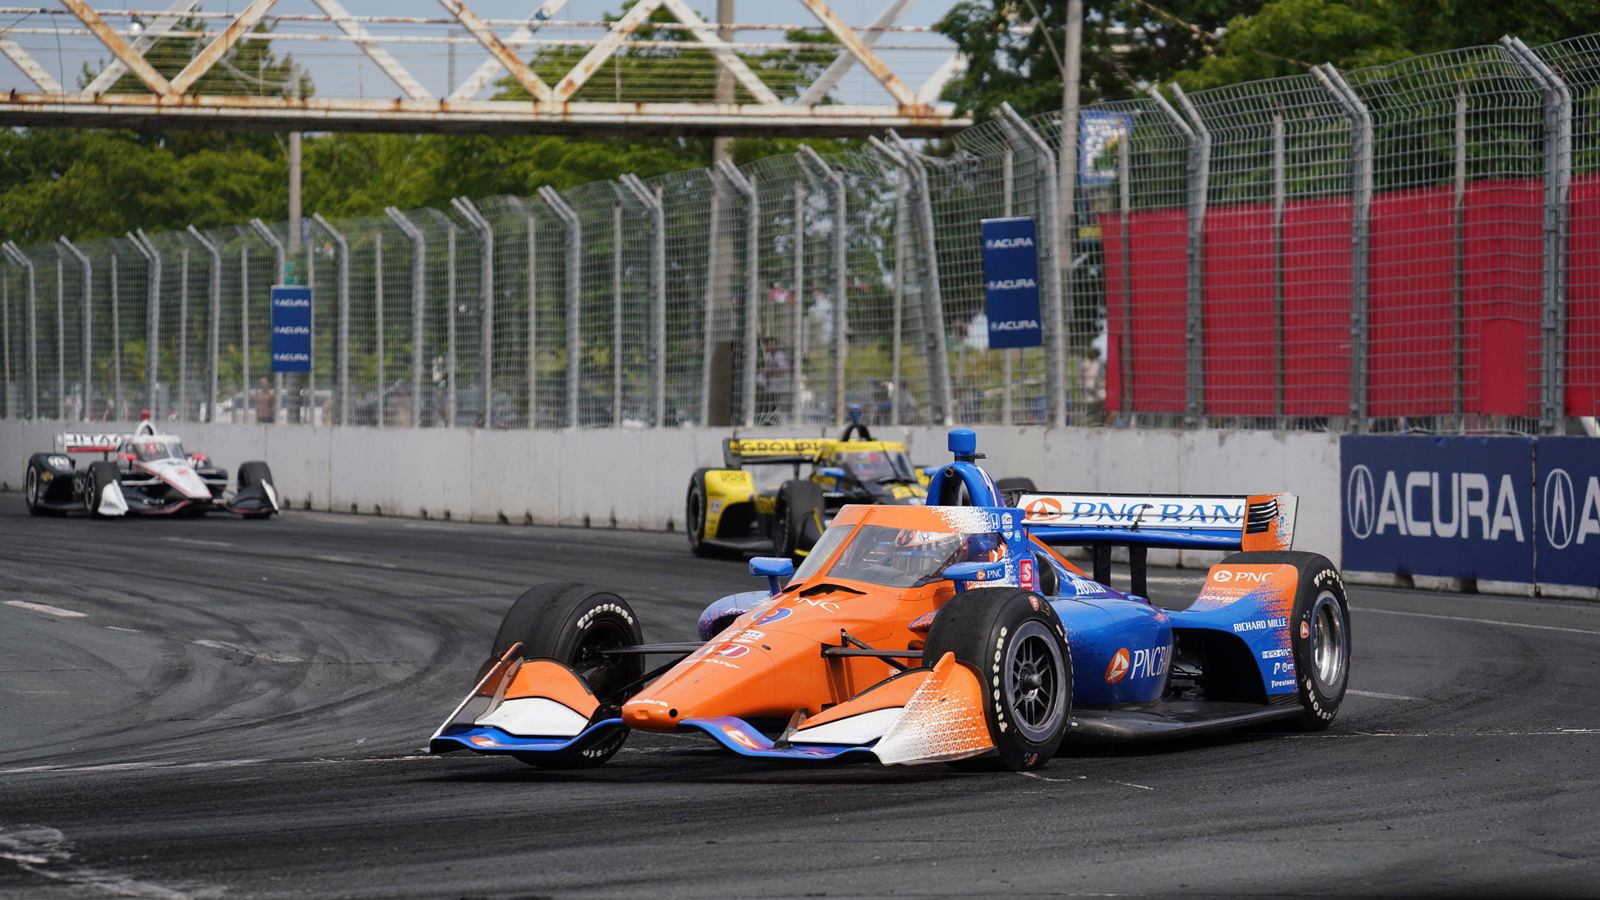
x,y
938,633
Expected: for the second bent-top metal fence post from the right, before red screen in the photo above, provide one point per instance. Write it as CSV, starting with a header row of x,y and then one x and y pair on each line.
x,y
1361,233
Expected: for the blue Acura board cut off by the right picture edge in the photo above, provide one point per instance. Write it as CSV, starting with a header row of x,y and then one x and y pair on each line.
x,y
1569,512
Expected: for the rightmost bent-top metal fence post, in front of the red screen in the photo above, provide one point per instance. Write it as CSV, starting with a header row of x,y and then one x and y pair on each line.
x,y
1558,215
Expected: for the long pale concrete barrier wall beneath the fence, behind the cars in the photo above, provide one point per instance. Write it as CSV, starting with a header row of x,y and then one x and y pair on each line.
x,y
638,480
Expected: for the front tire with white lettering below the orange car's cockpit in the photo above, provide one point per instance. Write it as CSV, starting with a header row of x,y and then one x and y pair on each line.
x,y
1017,645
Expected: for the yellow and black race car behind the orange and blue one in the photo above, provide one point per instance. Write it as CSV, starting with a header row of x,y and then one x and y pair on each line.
x,y
778,494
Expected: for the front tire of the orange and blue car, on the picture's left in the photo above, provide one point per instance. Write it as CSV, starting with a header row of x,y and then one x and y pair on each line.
x,y
572,625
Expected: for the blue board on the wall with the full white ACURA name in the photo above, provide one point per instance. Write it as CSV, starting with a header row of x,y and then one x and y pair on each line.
x,y
1450,507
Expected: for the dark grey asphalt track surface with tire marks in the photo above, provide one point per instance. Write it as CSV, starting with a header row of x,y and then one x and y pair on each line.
x,y
226,709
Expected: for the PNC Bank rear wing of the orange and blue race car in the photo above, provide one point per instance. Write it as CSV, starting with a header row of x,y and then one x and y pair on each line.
x,y
1102,521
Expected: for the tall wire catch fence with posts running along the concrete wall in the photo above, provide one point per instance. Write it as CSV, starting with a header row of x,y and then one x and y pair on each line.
x,y
1406,247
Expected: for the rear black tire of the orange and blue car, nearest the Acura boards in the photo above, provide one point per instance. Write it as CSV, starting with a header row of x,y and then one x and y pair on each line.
x,y
1319,633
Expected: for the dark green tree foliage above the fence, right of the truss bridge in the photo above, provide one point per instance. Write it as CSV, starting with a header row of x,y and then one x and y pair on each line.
x,y
1132,44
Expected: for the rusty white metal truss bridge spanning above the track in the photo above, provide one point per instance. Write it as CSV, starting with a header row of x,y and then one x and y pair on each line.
x,y
652,71
